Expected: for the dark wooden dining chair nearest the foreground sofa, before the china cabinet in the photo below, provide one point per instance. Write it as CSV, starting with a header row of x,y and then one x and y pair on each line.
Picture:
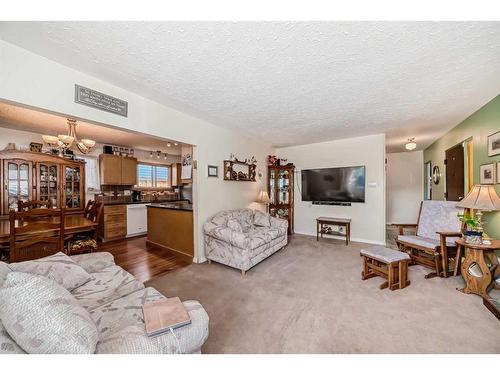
x,y
46,234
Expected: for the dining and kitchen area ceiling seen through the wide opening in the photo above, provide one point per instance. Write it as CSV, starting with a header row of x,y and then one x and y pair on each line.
x,y
20,118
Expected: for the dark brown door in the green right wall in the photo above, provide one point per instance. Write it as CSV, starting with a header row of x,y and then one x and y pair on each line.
x,y
455,173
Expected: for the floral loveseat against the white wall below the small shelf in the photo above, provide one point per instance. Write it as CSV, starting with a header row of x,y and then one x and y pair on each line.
x,y
244,237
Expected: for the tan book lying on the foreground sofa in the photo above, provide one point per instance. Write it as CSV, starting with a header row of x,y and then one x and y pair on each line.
x,y
160,316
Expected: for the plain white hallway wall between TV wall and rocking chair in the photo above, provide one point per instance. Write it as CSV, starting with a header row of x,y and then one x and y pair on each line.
x,y
404,186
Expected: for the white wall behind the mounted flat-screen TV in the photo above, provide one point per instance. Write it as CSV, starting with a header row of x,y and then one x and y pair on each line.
x,y
368,219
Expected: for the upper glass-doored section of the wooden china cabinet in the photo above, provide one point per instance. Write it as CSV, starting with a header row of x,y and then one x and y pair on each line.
x,y
39,176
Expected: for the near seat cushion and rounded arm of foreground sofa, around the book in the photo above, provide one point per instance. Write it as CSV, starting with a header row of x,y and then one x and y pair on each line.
x,y
121,327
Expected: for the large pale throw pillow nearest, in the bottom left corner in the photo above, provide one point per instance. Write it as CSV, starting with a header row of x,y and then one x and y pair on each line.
x,y
43,317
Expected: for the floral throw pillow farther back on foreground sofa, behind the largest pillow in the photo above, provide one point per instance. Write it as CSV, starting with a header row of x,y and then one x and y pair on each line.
x,y
58,267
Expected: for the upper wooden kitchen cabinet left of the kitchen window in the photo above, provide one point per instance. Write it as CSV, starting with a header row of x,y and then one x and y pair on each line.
x,y
117,170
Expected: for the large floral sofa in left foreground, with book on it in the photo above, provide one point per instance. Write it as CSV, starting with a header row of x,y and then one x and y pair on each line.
x,y
114,299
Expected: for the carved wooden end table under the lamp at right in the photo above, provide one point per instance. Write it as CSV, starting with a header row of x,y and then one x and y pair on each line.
x,y
480,279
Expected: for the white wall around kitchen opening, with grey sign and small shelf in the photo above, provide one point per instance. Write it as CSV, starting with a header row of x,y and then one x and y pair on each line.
x,y
35,81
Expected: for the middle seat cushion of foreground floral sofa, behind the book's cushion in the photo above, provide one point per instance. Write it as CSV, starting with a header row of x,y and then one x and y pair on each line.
x,y
106,285
